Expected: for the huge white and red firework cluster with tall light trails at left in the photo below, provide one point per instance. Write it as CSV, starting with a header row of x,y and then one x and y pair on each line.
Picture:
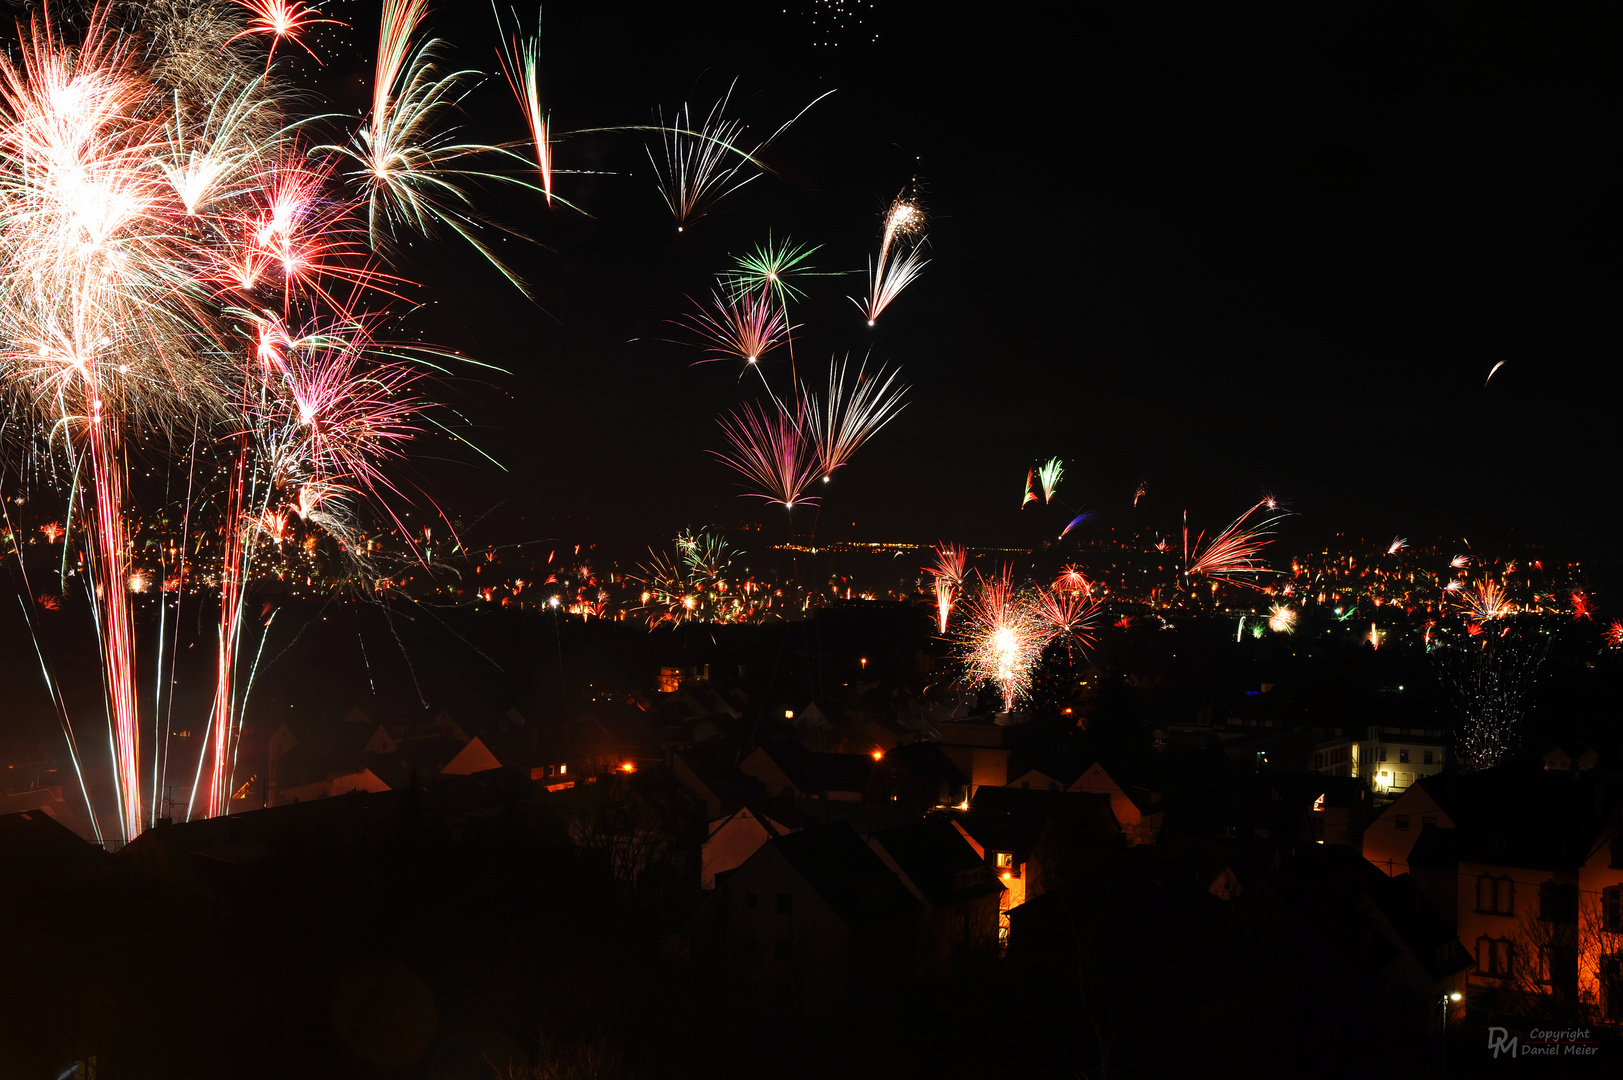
x,y
187,272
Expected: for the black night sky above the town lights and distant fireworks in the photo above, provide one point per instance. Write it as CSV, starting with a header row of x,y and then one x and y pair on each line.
x,y
1225,249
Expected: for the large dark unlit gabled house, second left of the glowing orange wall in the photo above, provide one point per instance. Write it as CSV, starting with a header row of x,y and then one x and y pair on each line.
x,y
817,923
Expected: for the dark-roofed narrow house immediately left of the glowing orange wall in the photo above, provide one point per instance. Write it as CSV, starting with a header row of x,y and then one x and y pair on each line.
x,y
960,896
